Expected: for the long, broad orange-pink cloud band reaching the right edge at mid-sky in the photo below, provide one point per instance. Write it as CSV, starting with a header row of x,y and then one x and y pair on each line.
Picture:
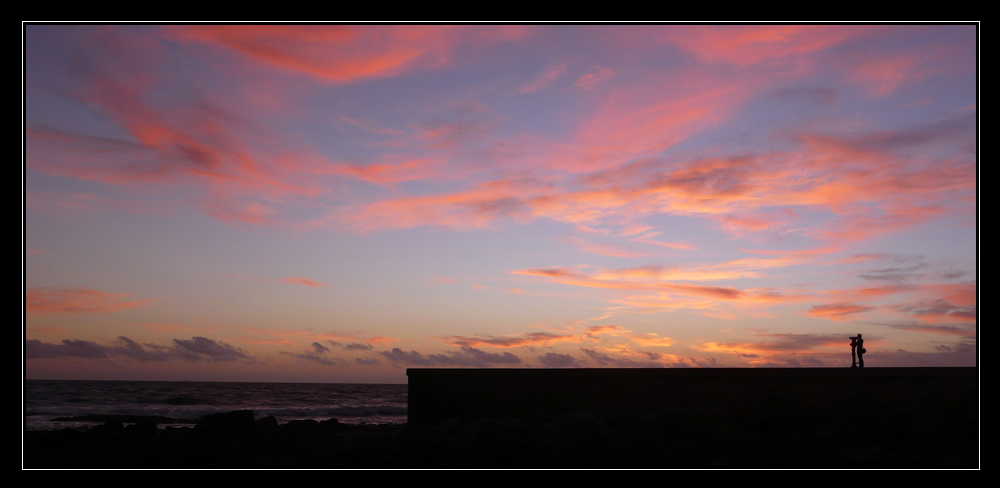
x,y
868,187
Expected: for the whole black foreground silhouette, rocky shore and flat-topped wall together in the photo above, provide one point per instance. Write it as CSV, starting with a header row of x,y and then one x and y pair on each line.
x,y
581,418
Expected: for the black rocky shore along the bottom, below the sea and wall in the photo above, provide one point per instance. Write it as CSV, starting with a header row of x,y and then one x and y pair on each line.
x,y
757,438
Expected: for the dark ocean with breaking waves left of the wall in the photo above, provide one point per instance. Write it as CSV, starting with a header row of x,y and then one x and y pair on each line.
x,y
45,400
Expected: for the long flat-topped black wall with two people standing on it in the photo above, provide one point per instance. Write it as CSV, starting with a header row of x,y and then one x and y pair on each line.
x,y
442,394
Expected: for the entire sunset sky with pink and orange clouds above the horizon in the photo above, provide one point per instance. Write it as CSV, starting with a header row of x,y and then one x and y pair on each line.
x,y
338,203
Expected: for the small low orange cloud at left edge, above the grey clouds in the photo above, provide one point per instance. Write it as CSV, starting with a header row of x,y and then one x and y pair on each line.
x,y
48,300
